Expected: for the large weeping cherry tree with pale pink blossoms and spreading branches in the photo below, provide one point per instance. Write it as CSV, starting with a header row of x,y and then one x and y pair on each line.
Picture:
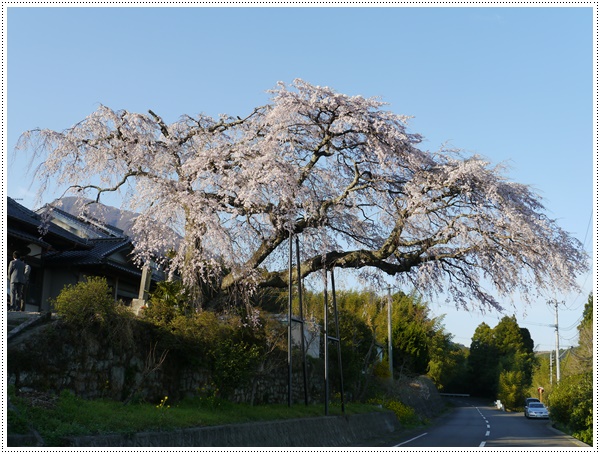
x,y
218,198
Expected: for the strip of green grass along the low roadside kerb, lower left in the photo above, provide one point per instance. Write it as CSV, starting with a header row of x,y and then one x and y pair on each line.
x,y
73,416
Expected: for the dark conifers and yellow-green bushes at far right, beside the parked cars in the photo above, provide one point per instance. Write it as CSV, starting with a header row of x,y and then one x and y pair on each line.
x,y
502,365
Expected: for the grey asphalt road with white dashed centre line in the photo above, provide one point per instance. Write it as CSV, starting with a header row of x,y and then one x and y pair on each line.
x,y
474,423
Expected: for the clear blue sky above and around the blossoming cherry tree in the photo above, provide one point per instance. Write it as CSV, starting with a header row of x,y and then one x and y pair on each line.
x,y
512,84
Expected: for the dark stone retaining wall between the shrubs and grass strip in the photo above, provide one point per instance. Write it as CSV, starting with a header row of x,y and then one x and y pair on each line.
x,y
49,358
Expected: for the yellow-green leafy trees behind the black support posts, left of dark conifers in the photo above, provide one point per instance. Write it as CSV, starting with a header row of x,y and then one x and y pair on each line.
x,y
420,344
